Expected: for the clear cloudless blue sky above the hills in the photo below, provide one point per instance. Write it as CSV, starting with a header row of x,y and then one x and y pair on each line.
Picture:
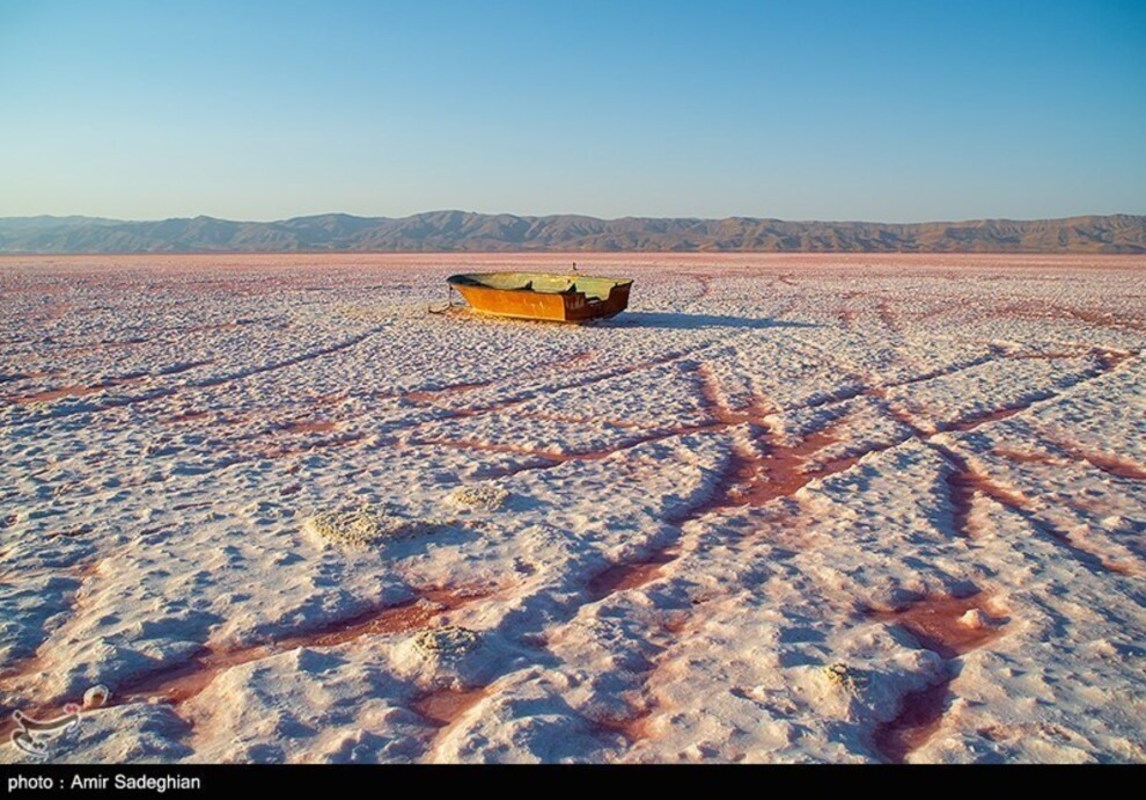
x,y
872,109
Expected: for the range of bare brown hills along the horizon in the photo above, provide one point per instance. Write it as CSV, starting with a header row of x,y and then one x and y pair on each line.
x,y
459,231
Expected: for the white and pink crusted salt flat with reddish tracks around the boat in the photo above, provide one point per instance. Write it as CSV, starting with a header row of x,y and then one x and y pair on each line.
x,y
791,508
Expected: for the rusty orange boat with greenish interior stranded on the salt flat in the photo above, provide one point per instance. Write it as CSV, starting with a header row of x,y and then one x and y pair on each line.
x,y
544,296
